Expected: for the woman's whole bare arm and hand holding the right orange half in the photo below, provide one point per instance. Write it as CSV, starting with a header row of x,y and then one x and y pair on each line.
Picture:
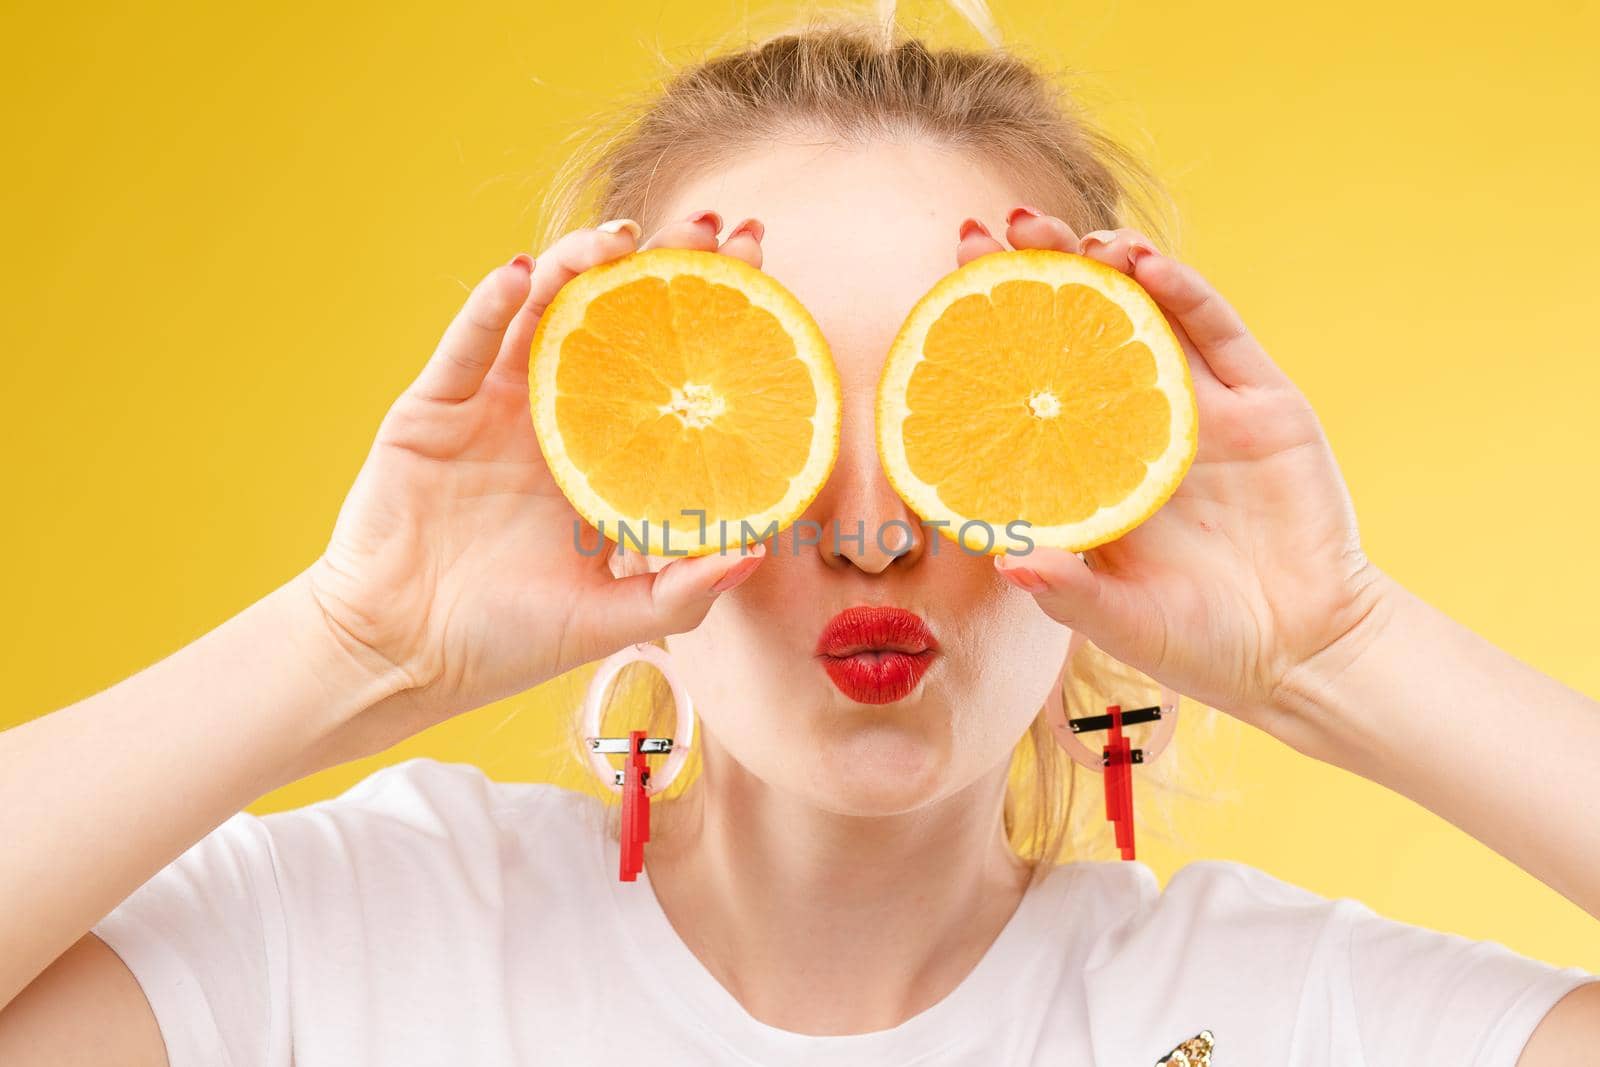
x,y
1250,593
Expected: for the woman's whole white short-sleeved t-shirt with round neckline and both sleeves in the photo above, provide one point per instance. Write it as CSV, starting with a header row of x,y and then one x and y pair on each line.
x,y
433,916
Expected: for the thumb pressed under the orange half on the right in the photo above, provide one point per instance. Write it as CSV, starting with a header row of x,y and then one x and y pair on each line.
x,y
1106,609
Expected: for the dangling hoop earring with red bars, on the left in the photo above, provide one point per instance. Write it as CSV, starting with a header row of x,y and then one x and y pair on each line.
x,y
636,781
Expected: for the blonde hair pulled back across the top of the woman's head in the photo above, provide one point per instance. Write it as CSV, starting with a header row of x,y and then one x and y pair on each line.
x,y
860,79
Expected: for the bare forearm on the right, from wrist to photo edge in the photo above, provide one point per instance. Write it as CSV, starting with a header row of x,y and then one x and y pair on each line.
x,y
1422,705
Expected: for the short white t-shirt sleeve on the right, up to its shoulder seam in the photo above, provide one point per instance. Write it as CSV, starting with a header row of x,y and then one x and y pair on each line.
x,y
1430,997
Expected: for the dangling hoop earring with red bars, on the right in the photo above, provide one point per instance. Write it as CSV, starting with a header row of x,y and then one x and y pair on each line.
x,y
1118,757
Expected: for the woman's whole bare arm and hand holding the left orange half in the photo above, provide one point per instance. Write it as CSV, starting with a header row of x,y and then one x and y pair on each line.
x,y
450,581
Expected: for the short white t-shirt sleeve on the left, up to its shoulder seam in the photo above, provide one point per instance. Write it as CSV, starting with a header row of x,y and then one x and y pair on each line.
x,y
206,938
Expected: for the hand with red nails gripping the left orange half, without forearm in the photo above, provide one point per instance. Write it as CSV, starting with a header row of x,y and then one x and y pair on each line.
x,y
454,569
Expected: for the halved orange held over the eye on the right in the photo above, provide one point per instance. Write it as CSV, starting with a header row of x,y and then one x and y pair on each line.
x,y
1036,388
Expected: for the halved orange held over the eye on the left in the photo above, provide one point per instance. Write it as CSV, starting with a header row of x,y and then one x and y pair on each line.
x,y
684,401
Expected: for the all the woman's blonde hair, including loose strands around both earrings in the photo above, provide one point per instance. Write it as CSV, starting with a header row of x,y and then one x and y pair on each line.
x,y
857,79
